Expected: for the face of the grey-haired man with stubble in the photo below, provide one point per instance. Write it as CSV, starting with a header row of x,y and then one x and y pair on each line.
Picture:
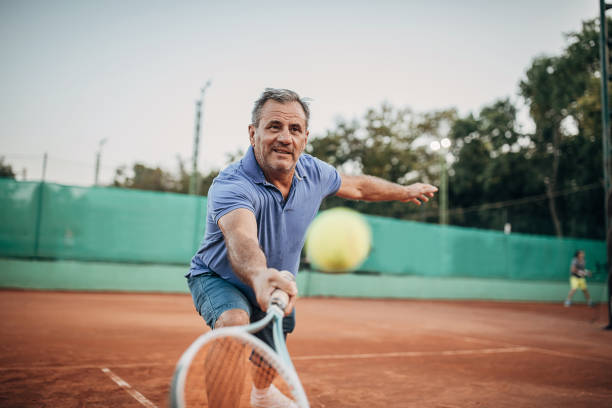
x,y
280,138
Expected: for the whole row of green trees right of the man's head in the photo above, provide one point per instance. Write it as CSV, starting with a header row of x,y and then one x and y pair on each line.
x,y
542,182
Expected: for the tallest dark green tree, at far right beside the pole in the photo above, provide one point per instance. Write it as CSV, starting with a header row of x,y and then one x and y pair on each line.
x,y
559,90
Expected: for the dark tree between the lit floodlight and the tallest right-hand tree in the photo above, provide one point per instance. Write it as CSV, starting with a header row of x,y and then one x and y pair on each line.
x,y
491,165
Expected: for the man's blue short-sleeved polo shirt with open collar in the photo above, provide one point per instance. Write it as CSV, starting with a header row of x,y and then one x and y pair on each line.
x,y
281,224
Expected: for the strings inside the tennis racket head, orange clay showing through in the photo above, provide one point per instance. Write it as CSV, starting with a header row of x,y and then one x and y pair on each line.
x,y
223,373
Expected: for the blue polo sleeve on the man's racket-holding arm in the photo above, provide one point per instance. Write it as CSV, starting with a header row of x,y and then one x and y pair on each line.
x,y
226,195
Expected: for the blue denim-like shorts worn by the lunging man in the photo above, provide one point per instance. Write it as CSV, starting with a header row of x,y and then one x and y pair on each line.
x,y
212,295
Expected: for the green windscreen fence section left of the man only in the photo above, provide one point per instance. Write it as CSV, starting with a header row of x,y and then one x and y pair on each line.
x,y
44,220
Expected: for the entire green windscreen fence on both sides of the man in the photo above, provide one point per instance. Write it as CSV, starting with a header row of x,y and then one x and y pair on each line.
x,y
51,221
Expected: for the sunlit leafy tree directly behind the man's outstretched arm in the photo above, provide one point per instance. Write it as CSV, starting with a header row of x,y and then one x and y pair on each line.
x,y
384,143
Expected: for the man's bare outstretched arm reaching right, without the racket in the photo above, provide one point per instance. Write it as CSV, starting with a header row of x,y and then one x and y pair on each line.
x,y
370,188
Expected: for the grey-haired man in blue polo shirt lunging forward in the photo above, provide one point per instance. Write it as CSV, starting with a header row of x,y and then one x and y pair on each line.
x,y
258,211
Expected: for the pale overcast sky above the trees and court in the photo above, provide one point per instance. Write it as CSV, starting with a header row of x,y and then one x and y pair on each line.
x,y
76,72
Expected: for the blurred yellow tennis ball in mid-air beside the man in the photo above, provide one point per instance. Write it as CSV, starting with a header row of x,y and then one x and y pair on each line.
x,y
338,240
